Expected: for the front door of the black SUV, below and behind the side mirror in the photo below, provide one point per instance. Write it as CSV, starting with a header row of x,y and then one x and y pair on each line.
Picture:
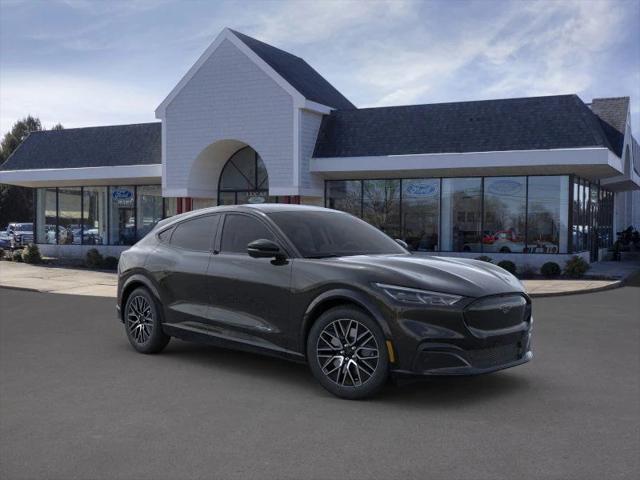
x,y
249,296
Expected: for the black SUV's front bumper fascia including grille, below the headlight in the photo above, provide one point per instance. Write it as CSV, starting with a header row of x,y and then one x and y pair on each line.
x,y
477,338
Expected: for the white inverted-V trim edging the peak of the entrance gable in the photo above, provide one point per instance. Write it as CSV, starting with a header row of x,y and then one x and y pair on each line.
x,y
227,34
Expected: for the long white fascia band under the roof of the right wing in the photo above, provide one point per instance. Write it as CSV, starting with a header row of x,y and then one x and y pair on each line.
x,y
523,159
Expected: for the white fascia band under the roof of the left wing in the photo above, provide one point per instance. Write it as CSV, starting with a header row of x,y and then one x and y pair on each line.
x,y
136,174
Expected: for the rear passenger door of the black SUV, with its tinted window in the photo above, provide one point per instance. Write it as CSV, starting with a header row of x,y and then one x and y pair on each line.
x,y
181,273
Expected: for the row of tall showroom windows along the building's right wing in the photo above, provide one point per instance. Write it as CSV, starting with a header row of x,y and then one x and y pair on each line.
x,y
480,214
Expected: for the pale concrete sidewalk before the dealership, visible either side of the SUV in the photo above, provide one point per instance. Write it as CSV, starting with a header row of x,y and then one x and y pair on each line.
x,y
78,281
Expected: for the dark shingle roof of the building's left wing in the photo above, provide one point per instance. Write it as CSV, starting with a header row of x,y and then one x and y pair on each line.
x,y
109,146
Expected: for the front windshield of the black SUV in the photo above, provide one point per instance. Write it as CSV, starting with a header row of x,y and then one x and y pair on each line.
x,y
319,234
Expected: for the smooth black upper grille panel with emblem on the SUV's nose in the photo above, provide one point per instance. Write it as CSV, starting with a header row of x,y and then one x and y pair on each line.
x,y
497,312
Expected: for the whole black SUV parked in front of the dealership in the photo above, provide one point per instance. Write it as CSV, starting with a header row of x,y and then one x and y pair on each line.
x,y
323,287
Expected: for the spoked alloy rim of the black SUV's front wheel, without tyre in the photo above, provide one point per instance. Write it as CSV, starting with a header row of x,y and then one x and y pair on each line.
x,y
347,352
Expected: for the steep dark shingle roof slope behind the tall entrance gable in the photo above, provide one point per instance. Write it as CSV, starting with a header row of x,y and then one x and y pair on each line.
x,y
298,73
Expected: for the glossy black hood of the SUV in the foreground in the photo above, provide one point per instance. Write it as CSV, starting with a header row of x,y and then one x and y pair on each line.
x,y
470,278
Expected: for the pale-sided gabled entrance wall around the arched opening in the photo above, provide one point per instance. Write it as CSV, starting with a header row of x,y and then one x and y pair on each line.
x,y
229,97
